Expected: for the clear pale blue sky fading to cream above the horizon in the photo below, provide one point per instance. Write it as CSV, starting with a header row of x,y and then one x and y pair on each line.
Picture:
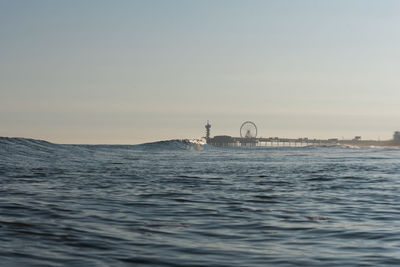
x,y
136,71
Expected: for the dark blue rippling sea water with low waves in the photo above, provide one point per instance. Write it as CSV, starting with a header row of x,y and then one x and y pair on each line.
x,y
175,203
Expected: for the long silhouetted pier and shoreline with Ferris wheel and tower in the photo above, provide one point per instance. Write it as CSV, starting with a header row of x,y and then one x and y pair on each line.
x,y
248,137
